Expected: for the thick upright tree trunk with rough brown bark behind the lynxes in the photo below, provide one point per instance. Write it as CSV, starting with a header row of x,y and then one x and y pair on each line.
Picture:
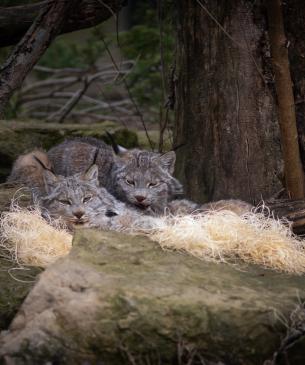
x,y
225,109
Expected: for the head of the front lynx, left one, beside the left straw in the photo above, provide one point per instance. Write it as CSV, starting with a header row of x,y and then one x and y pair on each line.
x,y
76,199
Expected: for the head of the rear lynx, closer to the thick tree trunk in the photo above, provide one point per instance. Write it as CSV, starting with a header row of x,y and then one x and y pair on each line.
x,y
144,179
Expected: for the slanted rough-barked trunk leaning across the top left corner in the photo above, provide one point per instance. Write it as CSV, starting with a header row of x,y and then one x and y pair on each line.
x,y
37,39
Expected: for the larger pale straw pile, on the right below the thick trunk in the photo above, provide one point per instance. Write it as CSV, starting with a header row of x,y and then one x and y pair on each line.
x,y
221,236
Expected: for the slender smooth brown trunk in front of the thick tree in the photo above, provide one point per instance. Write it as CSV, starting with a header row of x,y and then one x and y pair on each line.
x,y
294,176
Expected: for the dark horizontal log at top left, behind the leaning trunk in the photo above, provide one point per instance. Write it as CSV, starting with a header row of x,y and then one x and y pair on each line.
x,y
16,20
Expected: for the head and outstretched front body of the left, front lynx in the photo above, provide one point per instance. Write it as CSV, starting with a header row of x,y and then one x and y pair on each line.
x,y
79,201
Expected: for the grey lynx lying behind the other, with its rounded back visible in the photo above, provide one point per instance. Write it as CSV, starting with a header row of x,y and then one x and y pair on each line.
x,y
141,179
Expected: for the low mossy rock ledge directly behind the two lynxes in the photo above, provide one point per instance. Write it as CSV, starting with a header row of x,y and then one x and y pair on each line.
x,y
19,137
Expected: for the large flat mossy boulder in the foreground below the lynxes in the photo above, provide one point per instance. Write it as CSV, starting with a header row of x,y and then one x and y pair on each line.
x,y
120,299
